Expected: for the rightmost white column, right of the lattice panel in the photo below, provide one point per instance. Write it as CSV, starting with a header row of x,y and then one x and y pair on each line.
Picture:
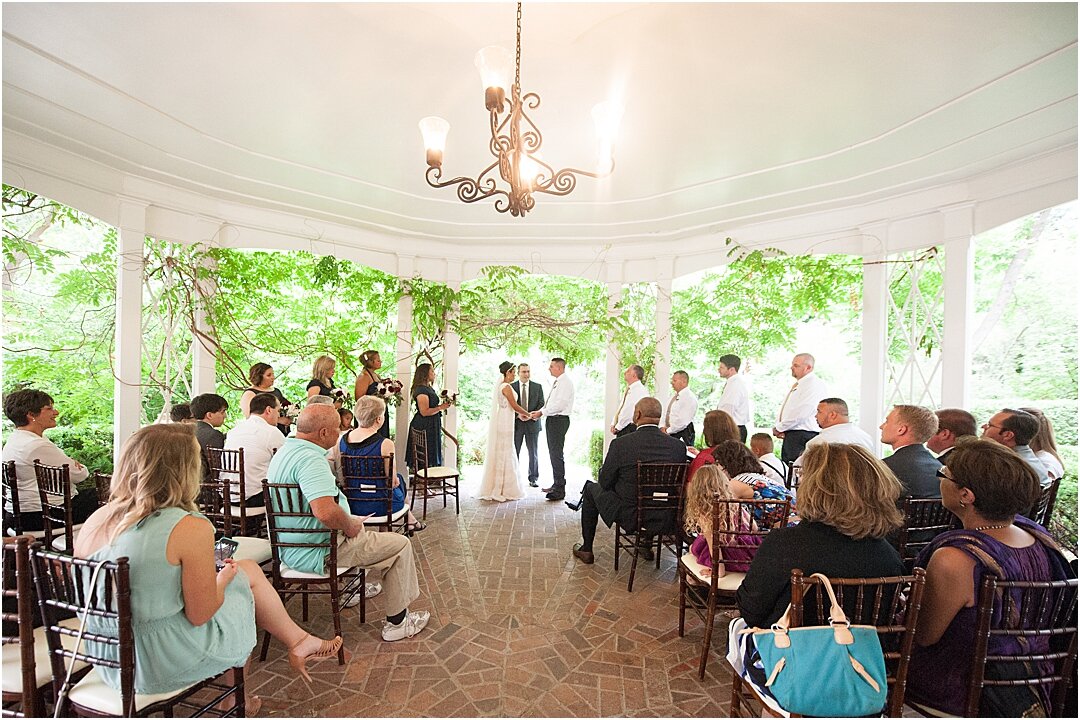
x,y
960,283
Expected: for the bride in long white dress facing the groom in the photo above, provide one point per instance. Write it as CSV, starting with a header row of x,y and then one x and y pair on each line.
x,y
501,466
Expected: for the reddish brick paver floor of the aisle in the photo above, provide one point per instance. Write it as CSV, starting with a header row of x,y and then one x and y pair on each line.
x,y
519,629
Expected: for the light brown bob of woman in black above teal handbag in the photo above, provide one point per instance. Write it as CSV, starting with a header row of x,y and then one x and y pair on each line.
x,y
846,487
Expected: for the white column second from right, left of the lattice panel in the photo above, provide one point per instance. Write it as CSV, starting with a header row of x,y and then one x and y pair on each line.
x,y
875,331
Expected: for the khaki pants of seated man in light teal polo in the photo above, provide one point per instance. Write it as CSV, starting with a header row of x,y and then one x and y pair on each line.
x,y
385,551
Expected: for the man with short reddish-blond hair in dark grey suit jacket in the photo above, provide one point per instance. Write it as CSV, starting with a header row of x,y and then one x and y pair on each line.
x,y
906,429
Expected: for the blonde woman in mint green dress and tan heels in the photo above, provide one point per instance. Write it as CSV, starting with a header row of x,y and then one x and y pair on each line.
x,y
191,621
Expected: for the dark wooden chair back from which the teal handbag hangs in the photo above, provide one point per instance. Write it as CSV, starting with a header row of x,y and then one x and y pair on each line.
x,y
889,604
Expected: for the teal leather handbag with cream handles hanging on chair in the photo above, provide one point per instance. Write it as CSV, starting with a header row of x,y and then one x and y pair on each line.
x,y
830,671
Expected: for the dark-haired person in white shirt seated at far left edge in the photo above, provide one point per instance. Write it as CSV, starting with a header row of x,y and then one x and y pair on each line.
x,y
33,414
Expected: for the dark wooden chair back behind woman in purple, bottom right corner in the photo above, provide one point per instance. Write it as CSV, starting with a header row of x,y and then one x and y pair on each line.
x,y
1043,618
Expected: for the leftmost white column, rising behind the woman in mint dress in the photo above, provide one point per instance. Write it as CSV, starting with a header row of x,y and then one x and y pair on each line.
x,y
128,344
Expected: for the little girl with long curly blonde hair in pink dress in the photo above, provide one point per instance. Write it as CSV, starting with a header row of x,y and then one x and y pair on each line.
x,y
709,483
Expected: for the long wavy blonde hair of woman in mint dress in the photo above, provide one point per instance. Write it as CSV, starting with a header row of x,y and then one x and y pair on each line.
x,y
159,468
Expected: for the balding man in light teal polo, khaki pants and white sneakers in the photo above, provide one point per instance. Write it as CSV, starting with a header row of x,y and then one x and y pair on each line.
x,y
302,461
